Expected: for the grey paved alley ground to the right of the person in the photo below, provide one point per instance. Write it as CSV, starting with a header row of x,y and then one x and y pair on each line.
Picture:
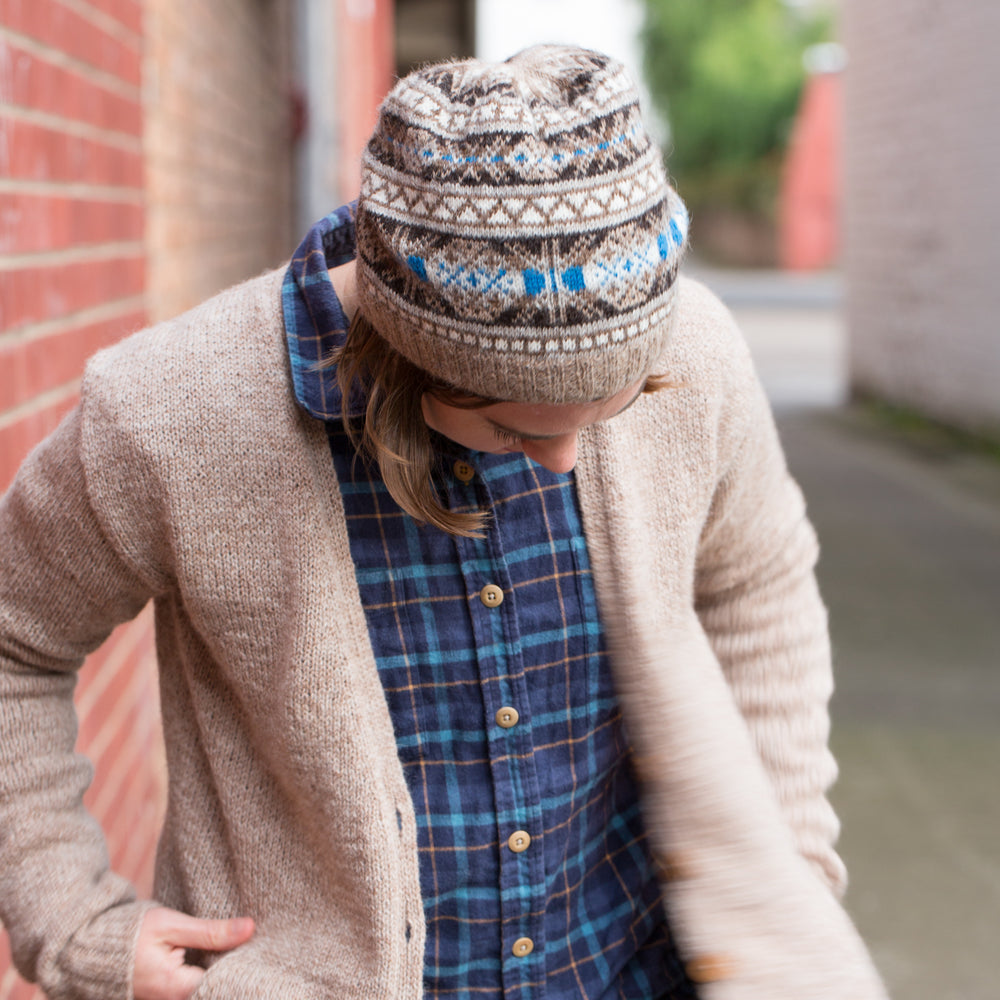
x,y
910,569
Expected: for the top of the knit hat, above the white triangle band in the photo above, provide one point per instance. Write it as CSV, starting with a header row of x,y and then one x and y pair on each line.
x,y
545,115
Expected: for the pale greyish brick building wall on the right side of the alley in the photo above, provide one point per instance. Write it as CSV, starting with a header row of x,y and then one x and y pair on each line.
x,y
923,209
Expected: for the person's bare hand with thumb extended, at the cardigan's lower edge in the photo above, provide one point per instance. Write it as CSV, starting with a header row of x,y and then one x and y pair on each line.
x,y
160,972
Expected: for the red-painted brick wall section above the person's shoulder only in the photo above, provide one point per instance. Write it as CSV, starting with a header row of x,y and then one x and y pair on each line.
x,y
71,183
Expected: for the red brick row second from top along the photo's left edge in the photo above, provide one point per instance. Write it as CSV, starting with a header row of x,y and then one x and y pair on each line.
x,y
33,82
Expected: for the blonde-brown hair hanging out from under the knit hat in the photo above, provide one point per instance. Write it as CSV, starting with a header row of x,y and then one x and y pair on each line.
x,y
392,431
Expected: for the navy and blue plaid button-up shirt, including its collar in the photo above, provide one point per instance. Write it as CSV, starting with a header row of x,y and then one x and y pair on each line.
x,y
584,891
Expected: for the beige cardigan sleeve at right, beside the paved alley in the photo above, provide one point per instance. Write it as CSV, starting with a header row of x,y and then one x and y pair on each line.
x,y
758,601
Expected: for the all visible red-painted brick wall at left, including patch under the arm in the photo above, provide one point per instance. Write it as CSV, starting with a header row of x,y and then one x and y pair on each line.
x,y
72,279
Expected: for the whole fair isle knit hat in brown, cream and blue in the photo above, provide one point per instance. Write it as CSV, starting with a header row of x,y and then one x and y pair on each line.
x,y
516,234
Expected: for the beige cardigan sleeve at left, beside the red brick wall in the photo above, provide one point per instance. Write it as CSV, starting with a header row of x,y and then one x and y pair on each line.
x,y
63,587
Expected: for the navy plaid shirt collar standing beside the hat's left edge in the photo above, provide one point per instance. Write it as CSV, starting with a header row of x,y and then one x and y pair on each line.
x,y
315,323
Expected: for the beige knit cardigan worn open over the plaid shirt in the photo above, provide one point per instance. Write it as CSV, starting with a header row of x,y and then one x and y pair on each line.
x,y
189,475
